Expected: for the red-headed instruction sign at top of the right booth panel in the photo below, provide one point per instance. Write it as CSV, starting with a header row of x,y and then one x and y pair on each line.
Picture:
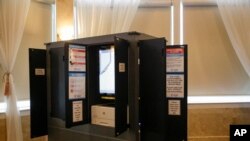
x,y
175,60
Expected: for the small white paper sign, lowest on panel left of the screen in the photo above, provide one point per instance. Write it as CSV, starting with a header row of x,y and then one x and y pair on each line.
x,y
77,111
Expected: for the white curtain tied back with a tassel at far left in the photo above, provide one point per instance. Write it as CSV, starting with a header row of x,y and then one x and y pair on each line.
x,y
13,15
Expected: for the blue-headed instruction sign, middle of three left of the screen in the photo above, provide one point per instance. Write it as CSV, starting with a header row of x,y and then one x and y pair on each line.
x,y
77,85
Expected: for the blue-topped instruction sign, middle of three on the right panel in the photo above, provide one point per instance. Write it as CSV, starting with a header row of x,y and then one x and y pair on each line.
x,y
175,85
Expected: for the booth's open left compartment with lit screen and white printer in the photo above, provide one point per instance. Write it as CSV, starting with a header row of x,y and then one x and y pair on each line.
x,y
76,77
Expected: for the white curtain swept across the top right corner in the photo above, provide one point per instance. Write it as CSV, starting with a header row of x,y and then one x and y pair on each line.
x,y
236,18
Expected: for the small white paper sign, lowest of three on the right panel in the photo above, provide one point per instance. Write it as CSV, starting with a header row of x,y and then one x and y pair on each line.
x,y
174,107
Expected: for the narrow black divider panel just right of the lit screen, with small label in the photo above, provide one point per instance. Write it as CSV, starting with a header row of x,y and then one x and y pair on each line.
x,y
121,85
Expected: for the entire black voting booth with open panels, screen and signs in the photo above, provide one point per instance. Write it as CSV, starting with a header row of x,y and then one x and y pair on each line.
x,y
127,86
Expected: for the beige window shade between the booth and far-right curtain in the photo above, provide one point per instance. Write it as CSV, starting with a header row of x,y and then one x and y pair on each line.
x,y
214,68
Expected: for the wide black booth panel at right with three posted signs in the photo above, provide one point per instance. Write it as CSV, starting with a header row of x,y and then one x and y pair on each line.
x,y
163,91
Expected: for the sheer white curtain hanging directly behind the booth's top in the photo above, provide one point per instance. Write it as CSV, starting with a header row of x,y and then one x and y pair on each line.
x,y
99,17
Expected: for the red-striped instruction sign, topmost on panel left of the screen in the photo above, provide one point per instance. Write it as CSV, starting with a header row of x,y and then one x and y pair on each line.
x,y
77,58
